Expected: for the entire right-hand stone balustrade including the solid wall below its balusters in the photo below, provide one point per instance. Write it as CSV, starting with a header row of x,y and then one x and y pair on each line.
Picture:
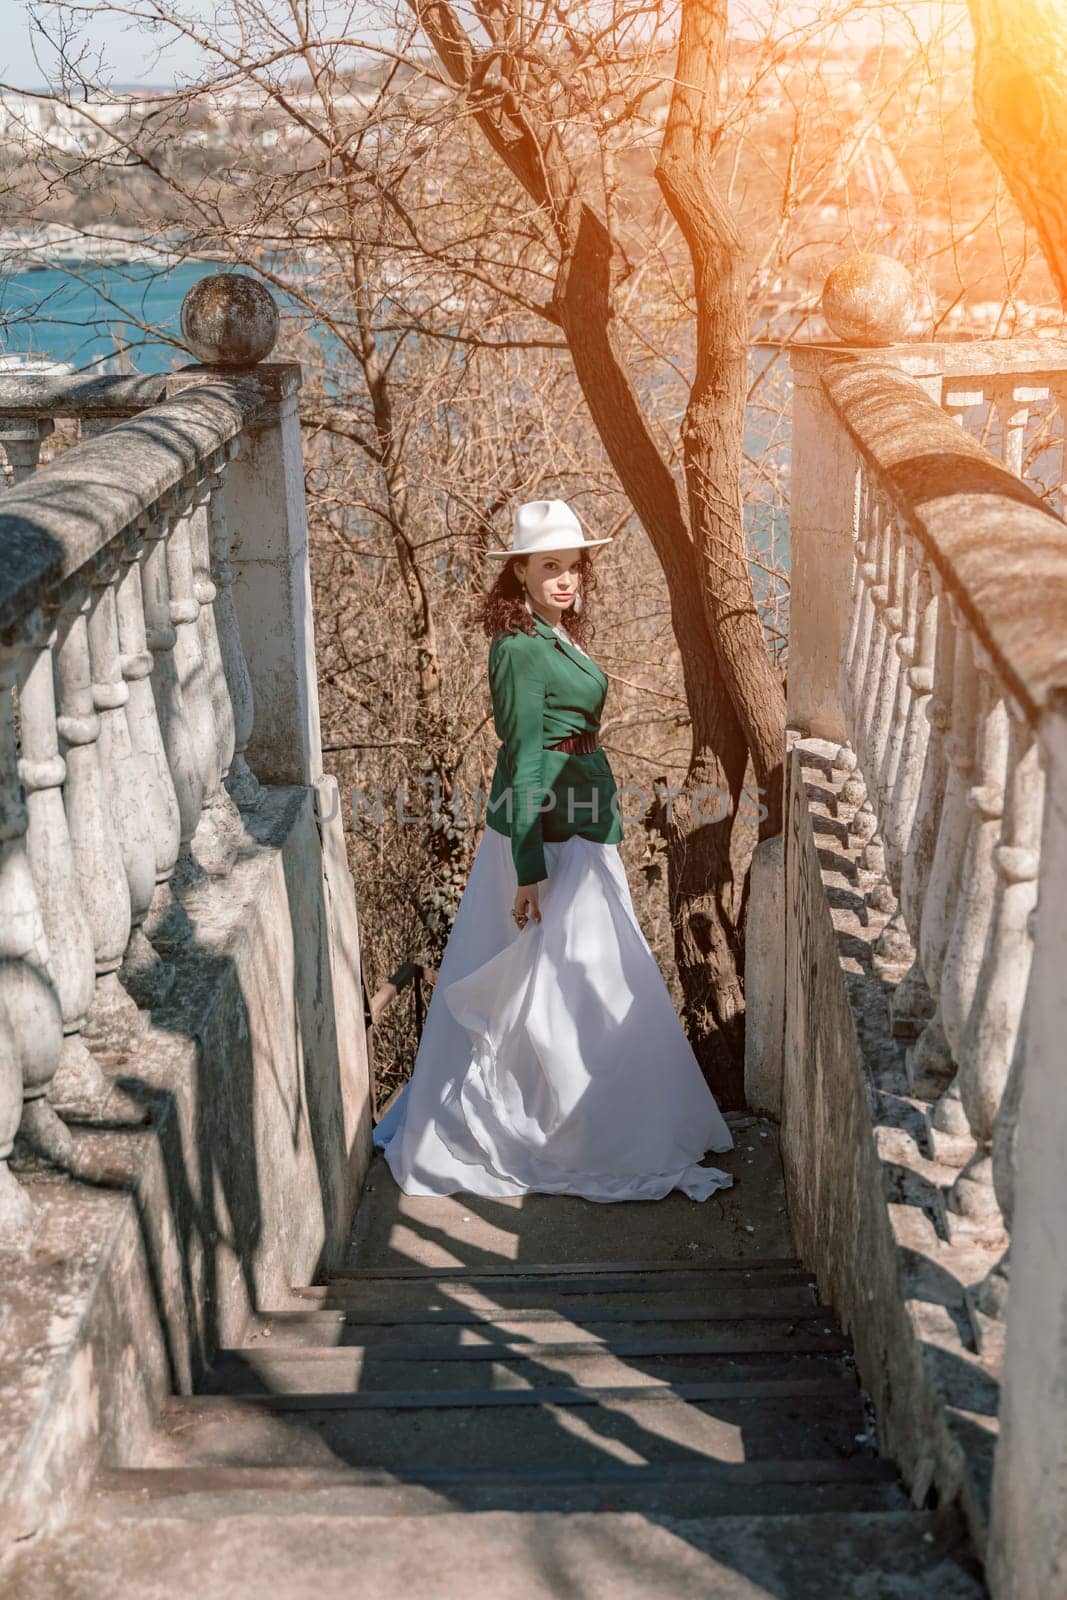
x,y
921,1074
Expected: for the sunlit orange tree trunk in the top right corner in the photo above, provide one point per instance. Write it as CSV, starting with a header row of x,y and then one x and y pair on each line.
x,y
1021,105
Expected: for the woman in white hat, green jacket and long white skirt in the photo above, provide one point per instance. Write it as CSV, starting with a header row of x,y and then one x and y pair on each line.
x,y
553,1058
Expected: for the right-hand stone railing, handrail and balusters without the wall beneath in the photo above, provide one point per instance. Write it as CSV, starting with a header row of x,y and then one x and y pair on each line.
x,y
930,639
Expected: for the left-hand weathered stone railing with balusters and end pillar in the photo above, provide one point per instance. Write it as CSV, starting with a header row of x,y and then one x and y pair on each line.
x,y
130,706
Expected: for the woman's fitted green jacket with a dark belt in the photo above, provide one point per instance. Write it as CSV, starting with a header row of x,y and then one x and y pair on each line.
x,y
545,690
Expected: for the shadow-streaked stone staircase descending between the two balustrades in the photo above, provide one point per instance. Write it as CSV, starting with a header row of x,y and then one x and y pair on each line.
x,y
474,1410
